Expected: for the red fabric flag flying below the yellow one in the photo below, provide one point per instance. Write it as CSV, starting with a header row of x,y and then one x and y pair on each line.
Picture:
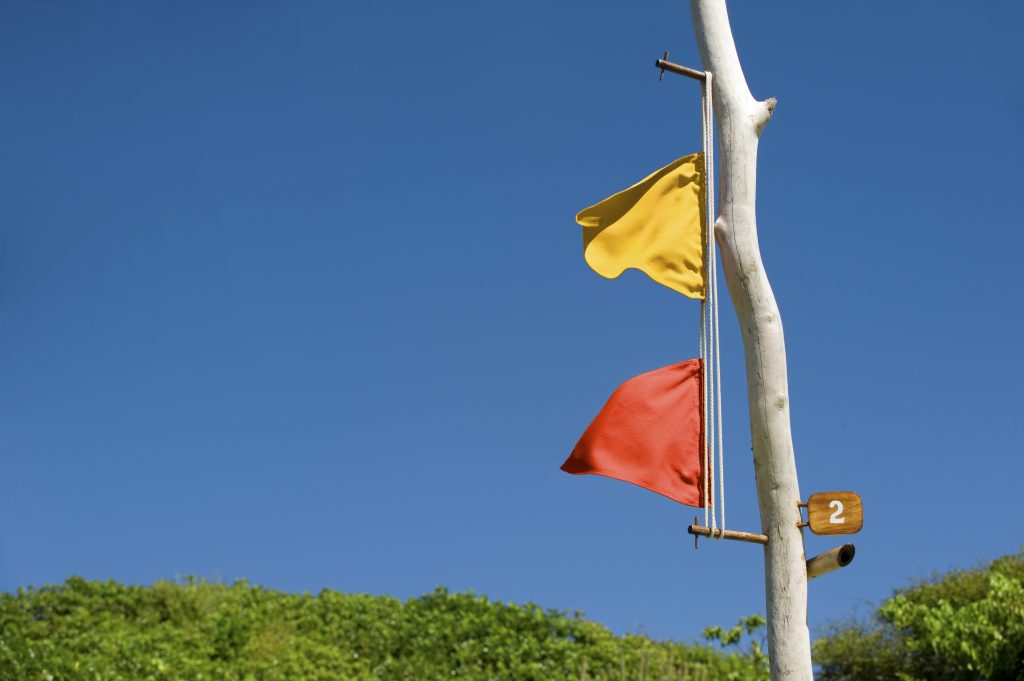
x,y
651,434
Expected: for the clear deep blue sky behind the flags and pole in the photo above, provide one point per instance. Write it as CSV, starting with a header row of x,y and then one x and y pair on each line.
x,y
292,292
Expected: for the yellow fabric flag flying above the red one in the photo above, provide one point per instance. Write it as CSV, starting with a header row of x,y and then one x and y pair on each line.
x,y
656,227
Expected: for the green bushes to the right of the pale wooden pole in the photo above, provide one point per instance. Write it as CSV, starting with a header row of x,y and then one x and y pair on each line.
x,y
966,625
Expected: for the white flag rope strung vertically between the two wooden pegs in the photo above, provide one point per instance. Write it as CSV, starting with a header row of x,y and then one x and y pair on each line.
x,y
710,329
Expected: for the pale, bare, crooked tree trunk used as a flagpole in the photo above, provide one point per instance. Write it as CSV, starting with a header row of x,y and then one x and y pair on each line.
x,y
741,119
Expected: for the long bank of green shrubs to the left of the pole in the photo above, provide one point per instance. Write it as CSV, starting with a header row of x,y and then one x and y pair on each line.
x,y
196,630
